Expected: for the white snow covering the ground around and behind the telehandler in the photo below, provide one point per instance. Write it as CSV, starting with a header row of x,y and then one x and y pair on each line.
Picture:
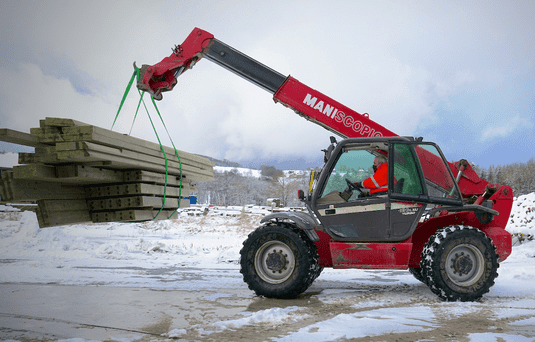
x,y
202,252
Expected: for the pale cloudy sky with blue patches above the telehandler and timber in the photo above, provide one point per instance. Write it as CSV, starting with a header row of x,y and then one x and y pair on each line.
x,y
460,73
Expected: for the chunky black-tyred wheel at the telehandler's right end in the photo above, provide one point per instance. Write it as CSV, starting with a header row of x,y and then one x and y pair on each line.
x,y
459,263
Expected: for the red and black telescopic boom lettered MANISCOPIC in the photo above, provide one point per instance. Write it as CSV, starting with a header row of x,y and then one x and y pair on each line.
x,y
305,101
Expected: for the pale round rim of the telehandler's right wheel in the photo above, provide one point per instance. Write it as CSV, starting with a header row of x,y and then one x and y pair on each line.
x,y
465,265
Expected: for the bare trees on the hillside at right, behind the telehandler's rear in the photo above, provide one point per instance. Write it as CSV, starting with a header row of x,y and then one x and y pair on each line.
x,y
519,176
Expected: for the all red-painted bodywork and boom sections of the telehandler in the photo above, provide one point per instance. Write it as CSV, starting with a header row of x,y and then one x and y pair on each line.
x,y
334,116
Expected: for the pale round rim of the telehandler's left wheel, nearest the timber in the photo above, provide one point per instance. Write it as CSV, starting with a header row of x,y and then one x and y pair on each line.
x,y
274,262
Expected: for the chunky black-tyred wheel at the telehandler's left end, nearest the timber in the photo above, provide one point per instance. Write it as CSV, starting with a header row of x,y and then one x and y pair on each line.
x,y
279,261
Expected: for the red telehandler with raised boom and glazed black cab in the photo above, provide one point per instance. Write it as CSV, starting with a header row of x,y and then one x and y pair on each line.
x,y
438,219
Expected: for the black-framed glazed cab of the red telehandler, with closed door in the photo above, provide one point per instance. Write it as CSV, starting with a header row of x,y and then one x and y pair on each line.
x,y
348,214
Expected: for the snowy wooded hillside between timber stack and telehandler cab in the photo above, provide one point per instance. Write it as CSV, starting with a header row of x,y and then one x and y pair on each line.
x,y
231,188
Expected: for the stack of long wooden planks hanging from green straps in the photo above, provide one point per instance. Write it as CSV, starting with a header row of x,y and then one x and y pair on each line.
x,y
82,173
